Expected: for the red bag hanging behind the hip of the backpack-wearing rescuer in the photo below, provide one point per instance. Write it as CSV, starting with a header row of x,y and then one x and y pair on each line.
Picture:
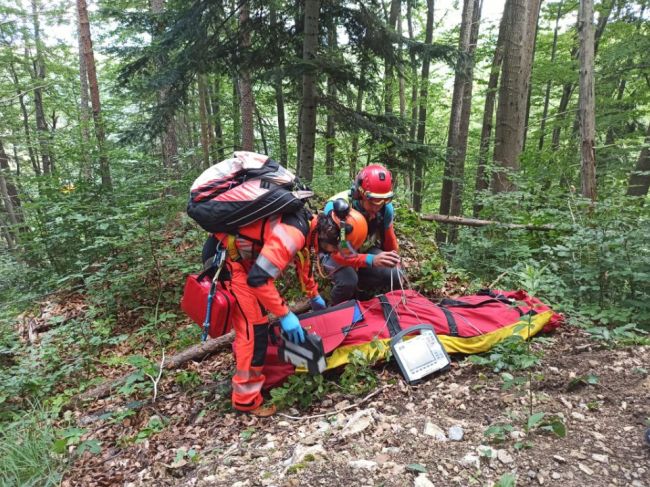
x,y
195,304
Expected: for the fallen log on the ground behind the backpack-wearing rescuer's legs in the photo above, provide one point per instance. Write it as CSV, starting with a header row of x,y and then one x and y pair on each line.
x,y
197,352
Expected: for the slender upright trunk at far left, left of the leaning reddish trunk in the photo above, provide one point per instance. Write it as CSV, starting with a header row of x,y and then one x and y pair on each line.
x,y
39,73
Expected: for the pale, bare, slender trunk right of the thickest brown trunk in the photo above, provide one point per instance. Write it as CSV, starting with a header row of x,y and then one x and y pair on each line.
x,y
587,109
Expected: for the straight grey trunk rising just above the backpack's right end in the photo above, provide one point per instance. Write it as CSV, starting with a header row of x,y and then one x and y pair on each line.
x,y
309,103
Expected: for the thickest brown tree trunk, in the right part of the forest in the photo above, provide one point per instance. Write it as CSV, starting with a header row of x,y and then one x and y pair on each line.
x,y
513,91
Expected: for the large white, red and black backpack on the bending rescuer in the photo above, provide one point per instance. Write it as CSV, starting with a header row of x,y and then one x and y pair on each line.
x,y
242,190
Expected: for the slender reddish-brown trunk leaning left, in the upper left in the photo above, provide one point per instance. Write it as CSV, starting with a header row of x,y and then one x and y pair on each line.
x,y
89,57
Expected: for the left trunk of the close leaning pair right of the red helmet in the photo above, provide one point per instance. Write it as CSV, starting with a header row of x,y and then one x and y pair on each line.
x,y
456,140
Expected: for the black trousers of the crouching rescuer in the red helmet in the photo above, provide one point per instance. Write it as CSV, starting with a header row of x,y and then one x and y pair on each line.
x,y
349,283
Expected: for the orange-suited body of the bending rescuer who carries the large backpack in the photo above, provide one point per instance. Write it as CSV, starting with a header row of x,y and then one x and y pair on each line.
x,y
256,256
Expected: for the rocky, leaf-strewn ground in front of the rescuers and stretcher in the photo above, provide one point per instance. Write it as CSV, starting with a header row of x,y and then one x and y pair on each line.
x,y
430,434
